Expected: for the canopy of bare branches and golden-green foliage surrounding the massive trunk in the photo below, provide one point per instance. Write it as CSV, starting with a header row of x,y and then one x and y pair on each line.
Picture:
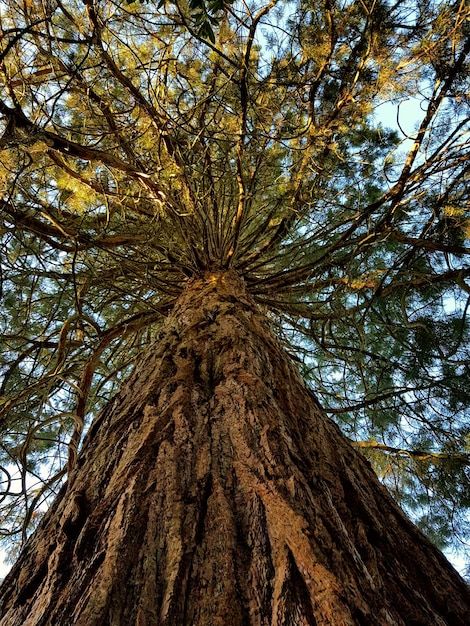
x,y
139,148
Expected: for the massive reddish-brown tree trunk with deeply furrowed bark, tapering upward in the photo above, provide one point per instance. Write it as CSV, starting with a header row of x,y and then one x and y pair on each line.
x,y
212,490
